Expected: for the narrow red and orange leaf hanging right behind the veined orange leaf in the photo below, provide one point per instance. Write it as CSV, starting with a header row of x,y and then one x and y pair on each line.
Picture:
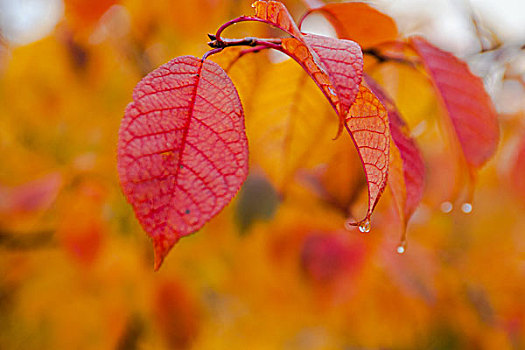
x,y
410,163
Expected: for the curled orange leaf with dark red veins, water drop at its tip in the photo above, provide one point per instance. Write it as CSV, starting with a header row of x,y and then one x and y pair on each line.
x,y
367,124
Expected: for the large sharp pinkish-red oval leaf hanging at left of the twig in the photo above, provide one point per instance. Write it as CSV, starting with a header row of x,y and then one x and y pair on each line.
x,y
182,151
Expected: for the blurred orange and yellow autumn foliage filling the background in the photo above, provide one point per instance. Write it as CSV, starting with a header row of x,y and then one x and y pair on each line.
x,y
271,271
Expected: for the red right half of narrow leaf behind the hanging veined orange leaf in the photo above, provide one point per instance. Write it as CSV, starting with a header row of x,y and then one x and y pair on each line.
x,y
412,165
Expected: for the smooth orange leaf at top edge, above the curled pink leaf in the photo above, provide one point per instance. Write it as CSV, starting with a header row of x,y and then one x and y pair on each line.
x,y
360,22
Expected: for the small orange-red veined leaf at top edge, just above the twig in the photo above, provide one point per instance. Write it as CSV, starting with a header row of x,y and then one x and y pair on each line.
x,y
275,13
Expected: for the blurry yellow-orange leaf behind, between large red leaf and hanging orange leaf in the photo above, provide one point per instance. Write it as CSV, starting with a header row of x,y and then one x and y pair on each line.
x,y
290,127
